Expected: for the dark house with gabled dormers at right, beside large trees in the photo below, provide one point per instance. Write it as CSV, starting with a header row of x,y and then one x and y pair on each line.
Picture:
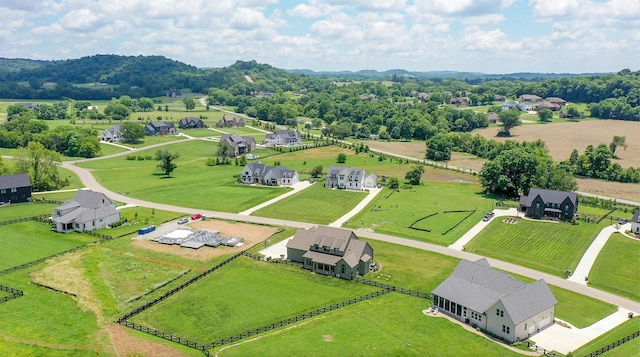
x,y
542,203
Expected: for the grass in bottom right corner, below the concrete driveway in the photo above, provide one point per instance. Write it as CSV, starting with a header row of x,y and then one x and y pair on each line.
x,y
625,329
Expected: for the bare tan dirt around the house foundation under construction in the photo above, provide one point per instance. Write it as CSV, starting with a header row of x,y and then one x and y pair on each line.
x,y
252,235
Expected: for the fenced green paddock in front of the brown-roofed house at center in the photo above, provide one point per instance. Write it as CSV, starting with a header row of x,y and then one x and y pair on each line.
x,y
243,295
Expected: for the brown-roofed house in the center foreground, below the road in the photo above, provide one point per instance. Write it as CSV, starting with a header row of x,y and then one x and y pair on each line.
x,y
331,251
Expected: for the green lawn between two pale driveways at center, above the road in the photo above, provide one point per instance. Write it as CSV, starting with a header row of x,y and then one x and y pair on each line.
x,y
315,204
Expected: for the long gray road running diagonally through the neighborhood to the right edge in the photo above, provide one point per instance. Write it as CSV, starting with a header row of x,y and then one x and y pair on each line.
x,y
90,182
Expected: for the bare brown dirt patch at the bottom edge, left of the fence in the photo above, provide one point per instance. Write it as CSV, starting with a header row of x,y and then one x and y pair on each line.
x,y
124,344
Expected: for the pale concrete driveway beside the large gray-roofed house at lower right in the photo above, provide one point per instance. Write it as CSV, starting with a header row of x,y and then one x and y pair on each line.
x,y
564,339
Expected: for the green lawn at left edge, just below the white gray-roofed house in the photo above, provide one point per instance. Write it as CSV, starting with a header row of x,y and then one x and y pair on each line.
x,y
27,241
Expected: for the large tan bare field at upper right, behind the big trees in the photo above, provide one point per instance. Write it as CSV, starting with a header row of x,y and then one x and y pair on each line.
x,y
562,138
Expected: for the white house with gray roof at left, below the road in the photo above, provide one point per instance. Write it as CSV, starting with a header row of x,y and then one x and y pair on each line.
x,y
87,211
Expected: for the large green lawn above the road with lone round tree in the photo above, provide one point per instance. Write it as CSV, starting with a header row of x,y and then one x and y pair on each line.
x,y
192,184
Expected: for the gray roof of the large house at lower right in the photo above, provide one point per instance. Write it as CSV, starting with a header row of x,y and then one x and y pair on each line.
x,y
477,286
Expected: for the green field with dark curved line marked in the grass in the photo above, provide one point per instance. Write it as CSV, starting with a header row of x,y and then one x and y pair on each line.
x,y
394,212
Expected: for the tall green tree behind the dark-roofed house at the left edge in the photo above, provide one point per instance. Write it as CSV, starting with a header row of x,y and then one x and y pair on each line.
x,y
42,166
